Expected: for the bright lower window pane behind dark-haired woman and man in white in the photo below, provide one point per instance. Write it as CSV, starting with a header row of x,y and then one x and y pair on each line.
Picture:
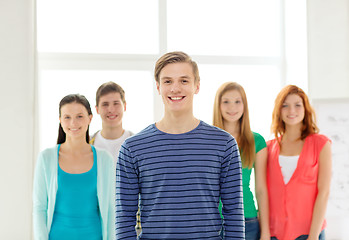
x,y
54,85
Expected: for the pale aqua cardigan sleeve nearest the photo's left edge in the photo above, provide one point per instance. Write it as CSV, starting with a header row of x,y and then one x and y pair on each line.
x,y
40,200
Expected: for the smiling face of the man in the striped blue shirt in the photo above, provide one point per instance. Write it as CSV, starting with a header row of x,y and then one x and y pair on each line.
x,y
177,87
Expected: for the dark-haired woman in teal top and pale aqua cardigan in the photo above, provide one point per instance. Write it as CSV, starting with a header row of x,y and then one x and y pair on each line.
x,y
73,196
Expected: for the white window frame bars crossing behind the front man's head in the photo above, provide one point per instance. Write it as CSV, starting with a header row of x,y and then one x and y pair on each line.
x,y
146,62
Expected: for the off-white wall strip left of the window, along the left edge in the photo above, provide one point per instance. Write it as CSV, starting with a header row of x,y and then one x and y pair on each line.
x,y
17,77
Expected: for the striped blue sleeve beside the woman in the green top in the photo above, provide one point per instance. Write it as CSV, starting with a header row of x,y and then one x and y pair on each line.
x,y
231,193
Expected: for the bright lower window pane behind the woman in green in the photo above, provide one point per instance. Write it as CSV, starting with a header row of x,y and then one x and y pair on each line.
x,y
257,82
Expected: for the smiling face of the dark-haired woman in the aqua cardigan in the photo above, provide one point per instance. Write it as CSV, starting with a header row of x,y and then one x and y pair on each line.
x,y
74,120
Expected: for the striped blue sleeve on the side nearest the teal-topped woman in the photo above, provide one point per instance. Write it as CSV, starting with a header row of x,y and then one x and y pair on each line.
x,y
127,190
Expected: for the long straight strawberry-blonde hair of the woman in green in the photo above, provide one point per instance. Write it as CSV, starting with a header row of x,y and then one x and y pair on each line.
x,y
246,139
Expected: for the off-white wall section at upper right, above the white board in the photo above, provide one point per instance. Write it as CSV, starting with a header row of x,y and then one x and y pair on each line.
x,y
328,48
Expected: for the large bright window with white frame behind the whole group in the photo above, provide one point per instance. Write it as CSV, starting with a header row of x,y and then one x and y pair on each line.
x,y
257,43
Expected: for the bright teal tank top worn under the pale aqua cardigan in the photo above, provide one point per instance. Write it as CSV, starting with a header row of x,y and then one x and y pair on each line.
x,y
74,217
